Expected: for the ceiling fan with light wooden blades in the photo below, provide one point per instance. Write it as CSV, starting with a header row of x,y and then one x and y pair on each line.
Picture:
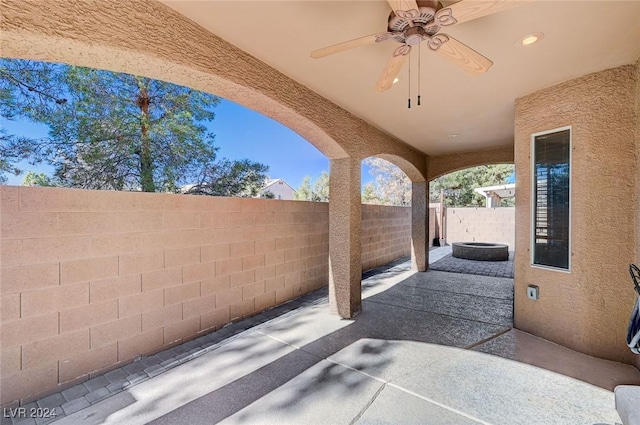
x,y
412,22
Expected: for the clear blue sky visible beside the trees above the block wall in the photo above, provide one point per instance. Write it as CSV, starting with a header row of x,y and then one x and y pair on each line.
x,y
240,133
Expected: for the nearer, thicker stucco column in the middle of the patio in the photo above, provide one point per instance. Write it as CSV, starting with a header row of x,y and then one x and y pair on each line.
x,y
344,237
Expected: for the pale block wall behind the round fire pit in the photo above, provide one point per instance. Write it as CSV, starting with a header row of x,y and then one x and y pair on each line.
x,y
480,225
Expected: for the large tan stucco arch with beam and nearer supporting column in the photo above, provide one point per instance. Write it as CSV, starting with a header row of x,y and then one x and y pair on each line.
x,y
147,38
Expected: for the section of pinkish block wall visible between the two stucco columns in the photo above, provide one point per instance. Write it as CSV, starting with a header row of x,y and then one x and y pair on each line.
x,y
386,234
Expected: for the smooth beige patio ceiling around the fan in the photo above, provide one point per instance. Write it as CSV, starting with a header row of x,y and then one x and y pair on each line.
x,y
579,37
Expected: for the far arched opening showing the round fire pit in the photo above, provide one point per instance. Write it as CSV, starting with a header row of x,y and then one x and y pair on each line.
x,y
474,206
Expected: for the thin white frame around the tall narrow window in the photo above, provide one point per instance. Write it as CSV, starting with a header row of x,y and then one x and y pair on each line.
x,y
532,245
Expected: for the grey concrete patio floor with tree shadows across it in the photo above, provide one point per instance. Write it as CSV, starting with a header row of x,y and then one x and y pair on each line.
x,y
430,347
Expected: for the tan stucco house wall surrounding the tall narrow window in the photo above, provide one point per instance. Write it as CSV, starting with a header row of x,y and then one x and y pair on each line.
x,y
588,308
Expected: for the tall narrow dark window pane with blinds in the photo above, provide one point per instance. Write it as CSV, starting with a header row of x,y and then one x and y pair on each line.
x,y
551,198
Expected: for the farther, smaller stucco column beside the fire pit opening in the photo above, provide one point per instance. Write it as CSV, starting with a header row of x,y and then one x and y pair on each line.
x,y
419,226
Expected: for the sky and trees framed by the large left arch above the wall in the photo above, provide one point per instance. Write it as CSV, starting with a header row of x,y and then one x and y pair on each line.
x,y
86,128
